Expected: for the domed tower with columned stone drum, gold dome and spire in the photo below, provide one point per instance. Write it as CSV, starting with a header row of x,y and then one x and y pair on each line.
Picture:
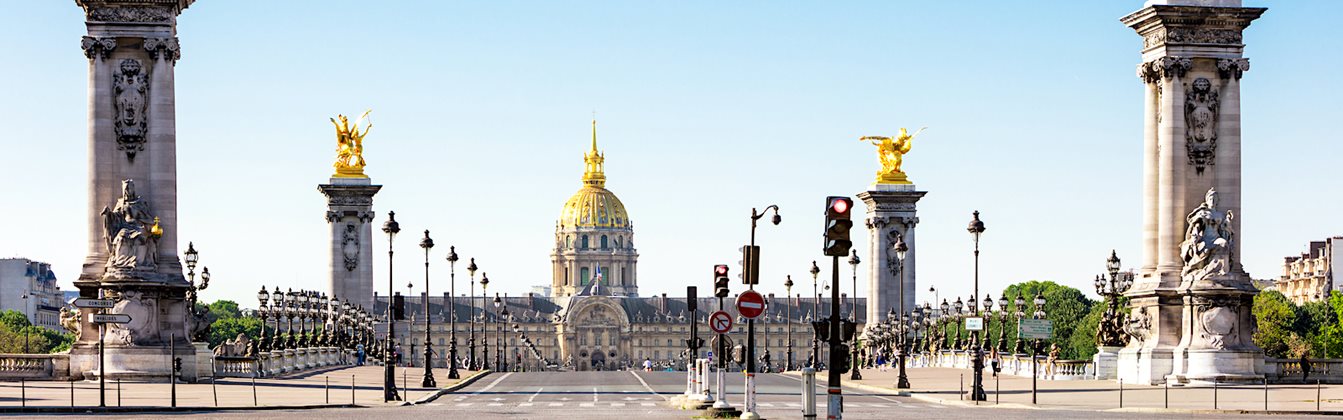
x,y
594,238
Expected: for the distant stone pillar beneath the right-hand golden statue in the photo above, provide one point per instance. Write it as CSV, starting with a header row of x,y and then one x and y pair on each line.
x,y
891,213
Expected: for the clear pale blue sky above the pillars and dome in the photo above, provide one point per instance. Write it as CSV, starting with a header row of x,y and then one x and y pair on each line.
x,y
706,109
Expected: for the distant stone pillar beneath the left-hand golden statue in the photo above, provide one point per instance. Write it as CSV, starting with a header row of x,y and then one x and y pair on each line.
x,y
350,211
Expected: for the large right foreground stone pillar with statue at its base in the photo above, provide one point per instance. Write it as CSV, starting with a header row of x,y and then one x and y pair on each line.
x,y
1191,324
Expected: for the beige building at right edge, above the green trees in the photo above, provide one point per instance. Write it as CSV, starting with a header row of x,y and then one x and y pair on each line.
x,y
1310,277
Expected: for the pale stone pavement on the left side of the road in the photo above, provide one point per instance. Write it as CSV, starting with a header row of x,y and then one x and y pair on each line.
x,y
306,390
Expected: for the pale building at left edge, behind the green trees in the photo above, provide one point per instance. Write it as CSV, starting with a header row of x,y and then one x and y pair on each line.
x,y
30,288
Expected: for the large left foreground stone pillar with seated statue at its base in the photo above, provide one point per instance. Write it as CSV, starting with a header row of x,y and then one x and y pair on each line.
x,y
132,215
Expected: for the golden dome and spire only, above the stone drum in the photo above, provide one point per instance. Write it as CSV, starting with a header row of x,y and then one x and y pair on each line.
x,y
594,206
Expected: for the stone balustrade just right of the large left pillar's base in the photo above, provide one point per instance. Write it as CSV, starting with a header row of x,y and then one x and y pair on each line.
x,y
271,364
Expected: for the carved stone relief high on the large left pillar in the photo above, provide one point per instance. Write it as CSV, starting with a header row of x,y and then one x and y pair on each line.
x,y
131,100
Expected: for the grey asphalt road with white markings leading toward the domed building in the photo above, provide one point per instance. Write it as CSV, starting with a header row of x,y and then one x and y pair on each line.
x,y
643,395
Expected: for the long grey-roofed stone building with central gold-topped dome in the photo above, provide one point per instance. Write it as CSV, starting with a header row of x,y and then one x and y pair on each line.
x,y
594,317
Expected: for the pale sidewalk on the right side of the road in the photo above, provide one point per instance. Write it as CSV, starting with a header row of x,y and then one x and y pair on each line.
x,y
943,386
